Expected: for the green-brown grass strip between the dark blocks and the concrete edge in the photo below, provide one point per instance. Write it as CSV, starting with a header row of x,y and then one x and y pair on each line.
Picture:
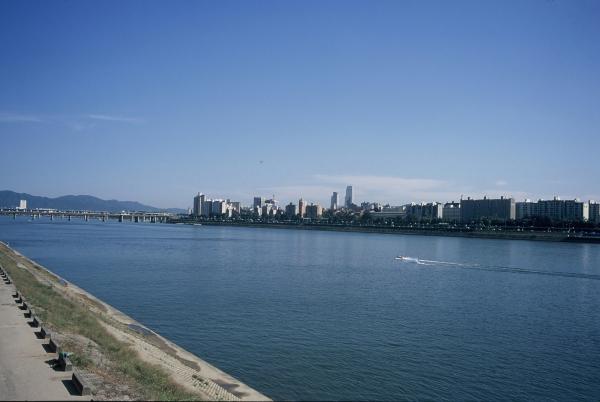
x,y
68,317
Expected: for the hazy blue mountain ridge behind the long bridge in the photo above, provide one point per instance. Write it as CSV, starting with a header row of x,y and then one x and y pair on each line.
x,y
10,199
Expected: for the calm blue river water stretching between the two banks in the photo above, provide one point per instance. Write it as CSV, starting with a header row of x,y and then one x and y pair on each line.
x,y
322,315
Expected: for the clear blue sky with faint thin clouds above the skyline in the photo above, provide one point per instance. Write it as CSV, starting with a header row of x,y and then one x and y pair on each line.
x,y
407,101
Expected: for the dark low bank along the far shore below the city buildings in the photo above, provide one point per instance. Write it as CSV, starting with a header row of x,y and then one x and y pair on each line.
x,y
497,235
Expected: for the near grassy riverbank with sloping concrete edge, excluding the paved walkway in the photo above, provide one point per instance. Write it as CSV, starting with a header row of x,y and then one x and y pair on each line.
x,y
126,359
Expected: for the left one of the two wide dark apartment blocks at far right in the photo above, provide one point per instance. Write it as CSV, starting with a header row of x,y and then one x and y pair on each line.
x,y
501,209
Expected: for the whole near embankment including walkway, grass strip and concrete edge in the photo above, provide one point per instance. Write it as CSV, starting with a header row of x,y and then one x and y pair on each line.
x,y
118,357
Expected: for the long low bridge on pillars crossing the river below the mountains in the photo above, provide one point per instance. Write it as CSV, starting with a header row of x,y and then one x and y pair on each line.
x,y
137,217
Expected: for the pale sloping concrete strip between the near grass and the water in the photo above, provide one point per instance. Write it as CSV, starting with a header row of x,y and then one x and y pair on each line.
x,y
184,368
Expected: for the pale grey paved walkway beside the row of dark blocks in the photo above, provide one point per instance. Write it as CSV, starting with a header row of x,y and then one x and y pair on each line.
x,y
24,373
